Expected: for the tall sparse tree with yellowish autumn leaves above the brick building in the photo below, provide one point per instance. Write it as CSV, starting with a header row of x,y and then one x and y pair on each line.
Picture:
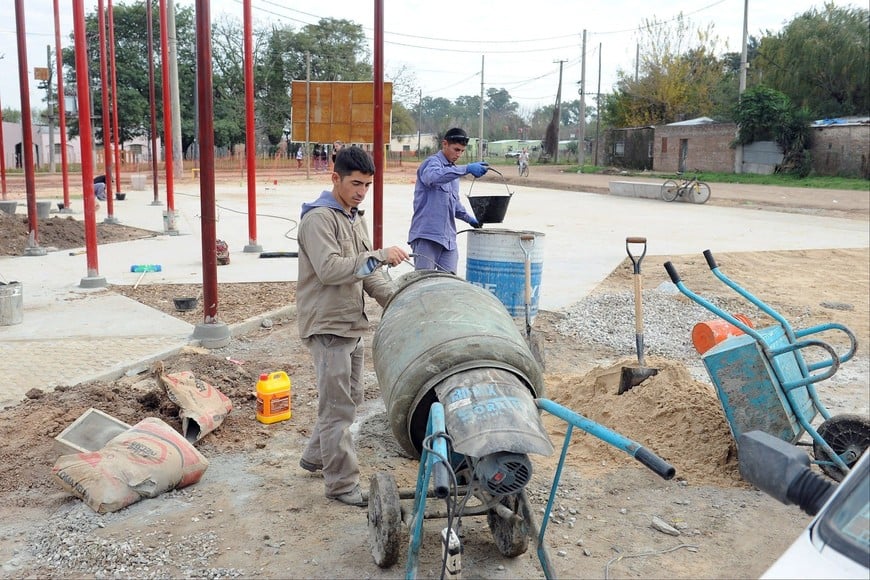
x,y
676,81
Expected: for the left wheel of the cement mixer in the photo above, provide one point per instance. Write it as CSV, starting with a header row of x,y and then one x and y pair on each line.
x,y
385,520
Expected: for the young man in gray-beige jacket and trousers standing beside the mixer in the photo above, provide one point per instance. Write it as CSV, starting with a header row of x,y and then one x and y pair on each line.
x,y
334,247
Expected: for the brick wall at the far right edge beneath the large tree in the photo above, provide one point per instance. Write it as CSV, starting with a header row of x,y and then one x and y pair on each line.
x,y
842,150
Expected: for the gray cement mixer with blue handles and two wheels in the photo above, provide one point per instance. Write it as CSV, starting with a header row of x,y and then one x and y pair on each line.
x,y
464,393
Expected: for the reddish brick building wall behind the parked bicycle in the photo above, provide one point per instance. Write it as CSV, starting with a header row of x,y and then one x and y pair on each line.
x,y
708,147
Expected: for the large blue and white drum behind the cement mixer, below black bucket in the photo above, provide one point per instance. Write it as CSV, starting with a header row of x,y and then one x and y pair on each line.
x,y
495,260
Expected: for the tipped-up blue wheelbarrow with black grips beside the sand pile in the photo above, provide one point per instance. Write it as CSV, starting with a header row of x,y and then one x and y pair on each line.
x,y
764,382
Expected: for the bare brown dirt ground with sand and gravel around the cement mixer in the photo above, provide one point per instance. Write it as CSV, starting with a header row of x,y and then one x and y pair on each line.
x,y
256,514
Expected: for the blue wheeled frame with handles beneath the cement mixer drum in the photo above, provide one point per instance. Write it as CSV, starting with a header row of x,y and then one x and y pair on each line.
x,y
510,517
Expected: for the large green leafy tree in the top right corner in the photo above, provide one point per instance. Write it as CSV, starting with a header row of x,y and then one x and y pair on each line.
x,y
821,60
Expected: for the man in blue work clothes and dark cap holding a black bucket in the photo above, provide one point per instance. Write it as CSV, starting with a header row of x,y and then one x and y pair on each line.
x,y
437,205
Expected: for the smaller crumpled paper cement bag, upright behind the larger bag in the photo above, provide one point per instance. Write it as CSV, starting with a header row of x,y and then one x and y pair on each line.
x,y
202,407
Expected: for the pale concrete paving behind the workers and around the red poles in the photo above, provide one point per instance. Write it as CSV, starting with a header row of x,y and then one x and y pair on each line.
x,y
70,334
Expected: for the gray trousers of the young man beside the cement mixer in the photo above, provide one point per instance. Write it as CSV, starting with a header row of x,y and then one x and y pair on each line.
x,y
338,362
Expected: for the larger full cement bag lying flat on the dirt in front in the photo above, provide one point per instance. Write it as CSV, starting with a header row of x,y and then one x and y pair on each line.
x,y
146,460
